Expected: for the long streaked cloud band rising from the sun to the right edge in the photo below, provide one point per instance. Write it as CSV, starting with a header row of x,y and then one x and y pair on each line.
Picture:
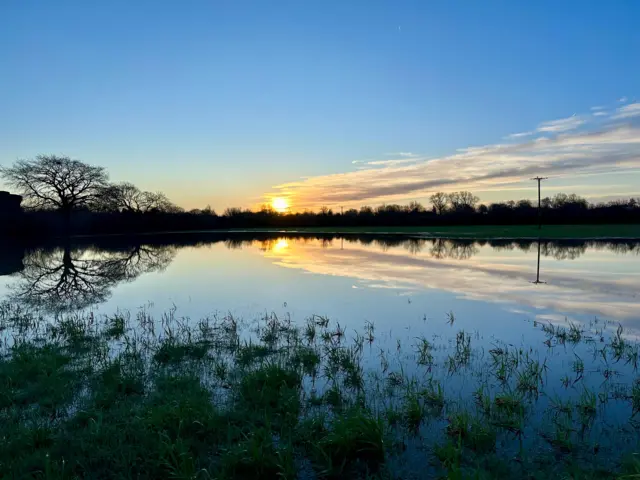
x,y
568,147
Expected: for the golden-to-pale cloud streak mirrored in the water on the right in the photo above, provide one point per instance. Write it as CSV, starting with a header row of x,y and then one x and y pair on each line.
x,y
599,285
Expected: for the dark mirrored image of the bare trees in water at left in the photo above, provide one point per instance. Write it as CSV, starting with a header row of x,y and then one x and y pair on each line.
x,y
67,279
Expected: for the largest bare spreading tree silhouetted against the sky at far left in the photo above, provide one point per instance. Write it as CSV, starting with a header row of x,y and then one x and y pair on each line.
x,y
52,182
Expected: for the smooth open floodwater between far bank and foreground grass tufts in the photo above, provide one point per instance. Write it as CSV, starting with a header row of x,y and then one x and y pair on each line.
x,y
395,282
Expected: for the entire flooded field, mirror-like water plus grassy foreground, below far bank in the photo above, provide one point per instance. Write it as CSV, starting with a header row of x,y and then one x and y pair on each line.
x,y
391,356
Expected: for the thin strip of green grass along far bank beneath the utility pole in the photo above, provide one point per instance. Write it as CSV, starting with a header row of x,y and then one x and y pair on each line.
x,y
550,232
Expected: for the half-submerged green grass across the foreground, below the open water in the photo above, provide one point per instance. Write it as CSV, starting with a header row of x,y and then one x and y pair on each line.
x,y
121,397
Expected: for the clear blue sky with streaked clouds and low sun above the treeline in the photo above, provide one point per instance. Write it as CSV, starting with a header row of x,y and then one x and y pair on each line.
x,y
233,103
